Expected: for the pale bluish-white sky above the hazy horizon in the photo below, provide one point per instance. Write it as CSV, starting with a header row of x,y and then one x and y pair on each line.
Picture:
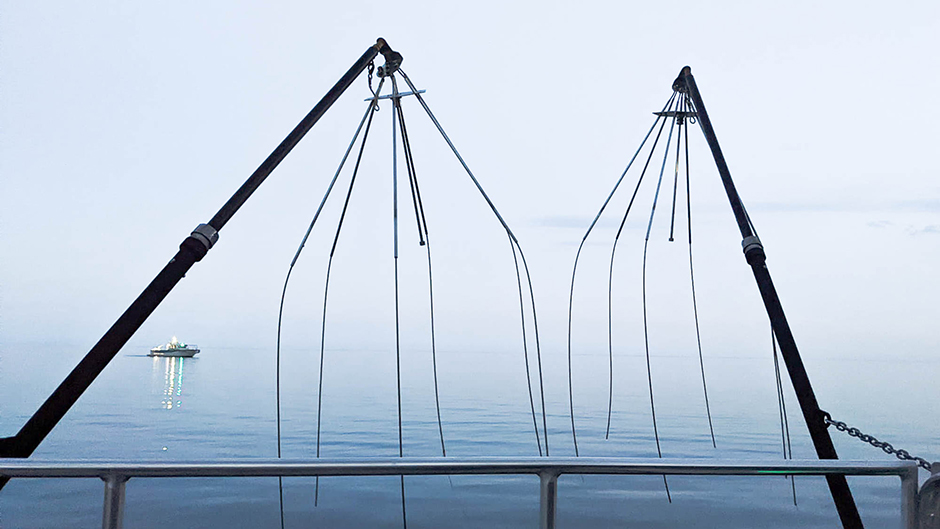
x,y
123,126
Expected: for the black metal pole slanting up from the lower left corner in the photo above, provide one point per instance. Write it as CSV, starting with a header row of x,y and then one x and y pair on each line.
x,y
192,250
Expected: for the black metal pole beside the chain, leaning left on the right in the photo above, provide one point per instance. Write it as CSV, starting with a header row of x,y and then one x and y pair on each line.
x,y
754,253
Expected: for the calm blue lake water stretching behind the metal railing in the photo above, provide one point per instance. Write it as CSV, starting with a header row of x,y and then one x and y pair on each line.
x,y
220,405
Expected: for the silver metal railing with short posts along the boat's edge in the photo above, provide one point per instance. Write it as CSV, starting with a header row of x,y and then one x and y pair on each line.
x,y
116,474
